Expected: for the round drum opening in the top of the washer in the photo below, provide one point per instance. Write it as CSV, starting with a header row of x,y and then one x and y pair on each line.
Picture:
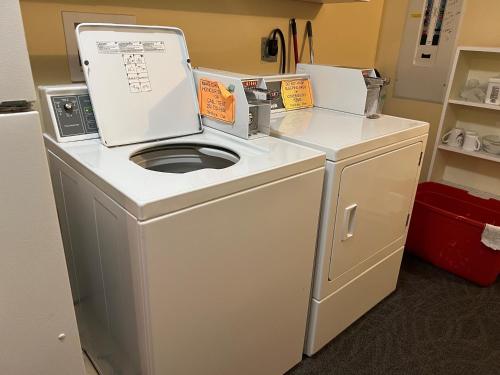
x,y
184,158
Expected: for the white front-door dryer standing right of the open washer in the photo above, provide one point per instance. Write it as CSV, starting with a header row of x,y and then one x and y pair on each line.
x,y
372,171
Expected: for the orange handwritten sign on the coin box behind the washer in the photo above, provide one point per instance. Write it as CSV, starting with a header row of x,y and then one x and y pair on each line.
x,y
216,101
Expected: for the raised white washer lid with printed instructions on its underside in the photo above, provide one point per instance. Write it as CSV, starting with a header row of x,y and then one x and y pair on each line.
x,y
140,82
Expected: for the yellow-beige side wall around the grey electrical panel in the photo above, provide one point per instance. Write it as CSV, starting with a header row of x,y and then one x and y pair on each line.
x,y
479,28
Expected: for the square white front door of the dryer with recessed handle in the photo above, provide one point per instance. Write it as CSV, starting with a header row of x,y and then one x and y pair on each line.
x,y
373,206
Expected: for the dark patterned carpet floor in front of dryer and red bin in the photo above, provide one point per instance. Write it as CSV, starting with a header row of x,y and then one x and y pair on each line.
x,y
435,323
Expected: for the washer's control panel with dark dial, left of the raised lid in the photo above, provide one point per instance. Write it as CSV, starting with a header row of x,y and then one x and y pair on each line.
x,y
67,113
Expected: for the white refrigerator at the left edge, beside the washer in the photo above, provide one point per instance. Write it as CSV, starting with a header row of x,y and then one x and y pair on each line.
x,y
38,332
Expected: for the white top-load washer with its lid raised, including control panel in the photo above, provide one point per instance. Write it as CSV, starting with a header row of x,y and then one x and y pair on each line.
x,y
190,250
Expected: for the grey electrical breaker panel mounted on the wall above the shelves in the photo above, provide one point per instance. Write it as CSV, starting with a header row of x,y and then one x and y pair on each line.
x,y
427,49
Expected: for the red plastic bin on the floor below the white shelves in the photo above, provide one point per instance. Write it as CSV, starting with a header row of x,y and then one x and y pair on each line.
x,y
446,228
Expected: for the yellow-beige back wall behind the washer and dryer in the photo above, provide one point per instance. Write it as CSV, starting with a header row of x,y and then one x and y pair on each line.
x,y
223,34
